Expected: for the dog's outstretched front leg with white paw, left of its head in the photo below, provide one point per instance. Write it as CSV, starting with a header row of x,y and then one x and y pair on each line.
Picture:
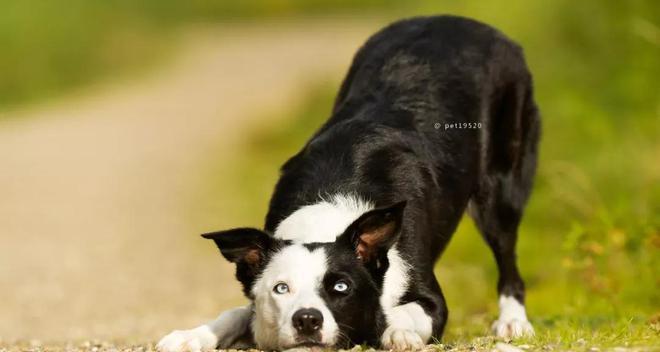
x,y
223,332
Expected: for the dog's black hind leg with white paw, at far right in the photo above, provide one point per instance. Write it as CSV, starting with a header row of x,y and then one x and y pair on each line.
x,y
509,153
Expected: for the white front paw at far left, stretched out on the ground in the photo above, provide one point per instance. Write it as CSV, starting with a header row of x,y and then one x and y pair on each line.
x,y
194,340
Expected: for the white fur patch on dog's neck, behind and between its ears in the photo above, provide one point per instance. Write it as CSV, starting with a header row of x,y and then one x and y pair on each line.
x,y
322,221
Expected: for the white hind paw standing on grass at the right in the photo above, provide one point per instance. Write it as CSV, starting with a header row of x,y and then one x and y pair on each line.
x,y
513,319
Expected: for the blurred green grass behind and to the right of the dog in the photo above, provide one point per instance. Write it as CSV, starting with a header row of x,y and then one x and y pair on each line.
x,y
589,244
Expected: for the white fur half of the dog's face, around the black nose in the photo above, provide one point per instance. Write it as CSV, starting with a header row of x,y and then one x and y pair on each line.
x,y
303,272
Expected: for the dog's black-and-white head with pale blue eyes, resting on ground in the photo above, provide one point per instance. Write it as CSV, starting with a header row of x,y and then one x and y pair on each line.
x,y
323,294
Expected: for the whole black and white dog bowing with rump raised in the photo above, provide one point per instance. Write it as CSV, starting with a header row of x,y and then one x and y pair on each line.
x,y
435,116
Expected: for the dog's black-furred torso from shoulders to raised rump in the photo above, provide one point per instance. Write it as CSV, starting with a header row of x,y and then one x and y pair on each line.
x,y
438,100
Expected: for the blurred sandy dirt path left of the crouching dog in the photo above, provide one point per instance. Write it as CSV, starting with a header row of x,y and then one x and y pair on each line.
x,y
94,238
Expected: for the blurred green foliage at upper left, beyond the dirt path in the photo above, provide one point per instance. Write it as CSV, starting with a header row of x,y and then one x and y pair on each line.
x,y
48,47
